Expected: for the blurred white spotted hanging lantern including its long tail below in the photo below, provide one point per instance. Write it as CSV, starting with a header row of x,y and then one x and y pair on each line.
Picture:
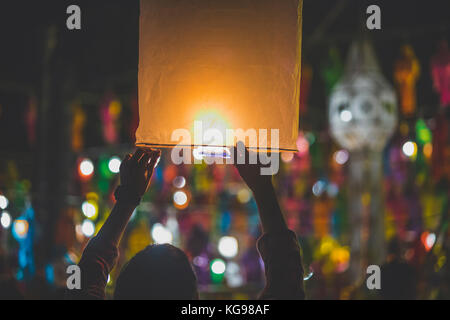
x,y
362,116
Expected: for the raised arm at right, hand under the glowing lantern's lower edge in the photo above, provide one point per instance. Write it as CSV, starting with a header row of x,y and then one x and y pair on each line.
x,y
278,246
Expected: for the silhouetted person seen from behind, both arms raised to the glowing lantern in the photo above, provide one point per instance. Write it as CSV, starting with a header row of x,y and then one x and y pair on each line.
x,y
162,271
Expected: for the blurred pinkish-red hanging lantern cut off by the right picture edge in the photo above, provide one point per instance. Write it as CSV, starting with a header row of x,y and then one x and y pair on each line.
x,y
440,71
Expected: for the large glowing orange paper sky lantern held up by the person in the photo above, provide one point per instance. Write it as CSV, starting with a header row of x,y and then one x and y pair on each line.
x,y
219,65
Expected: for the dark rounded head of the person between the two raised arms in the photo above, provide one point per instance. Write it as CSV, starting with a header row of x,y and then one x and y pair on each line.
x,y
159,272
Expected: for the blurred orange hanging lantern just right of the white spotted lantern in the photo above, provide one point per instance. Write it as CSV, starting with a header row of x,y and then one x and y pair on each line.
x,y
406,74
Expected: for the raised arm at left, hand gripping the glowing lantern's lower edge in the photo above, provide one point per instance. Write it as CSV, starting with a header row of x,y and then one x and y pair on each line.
x,y
100,255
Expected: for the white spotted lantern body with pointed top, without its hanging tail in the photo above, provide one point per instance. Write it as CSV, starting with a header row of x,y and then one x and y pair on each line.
x,y
362,112
